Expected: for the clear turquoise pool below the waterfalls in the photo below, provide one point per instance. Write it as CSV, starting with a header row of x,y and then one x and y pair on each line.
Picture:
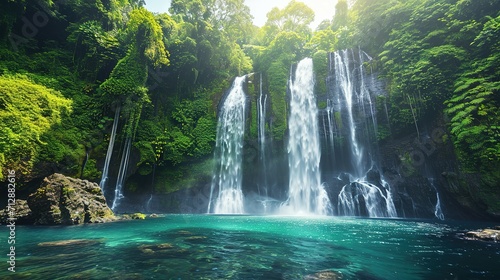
x,y
254,247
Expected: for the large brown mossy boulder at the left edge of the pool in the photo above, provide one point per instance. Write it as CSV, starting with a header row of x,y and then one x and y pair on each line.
x,y
65,200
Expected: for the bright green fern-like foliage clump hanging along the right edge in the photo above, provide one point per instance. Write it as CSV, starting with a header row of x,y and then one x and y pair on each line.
x,y
474,108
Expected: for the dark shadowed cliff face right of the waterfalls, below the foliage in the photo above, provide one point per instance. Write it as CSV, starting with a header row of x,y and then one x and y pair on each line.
x,y
426,177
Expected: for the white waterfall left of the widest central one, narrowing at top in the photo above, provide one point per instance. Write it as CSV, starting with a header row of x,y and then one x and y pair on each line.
x,y
228,155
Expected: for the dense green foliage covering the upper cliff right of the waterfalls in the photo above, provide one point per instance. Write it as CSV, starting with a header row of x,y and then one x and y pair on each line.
x,y
440,56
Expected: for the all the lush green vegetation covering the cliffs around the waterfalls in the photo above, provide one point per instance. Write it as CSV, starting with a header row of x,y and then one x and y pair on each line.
x,y
66,66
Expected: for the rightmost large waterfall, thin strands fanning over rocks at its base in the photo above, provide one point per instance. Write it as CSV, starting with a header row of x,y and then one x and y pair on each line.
x,y
366,192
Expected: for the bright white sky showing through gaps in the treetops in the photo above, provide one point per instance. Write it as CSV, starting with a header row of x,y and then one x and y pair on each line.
x,y
323,9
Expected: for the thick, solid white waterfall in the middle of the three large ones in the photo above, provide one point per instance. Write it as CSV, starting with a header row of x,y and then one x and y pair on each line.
x,y
306,195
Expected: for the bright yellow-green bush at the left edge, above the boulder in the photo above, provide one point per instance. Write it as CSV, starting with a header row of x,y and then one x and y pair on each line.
x,y
28,111
